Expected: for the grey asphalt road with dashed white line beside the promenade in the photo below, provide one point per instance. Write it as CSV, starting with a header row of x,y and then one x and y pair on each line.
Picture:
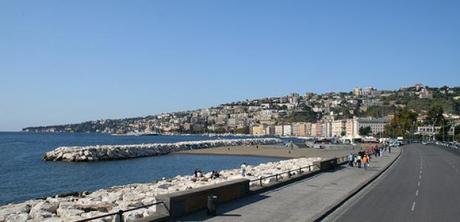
x,y
423,185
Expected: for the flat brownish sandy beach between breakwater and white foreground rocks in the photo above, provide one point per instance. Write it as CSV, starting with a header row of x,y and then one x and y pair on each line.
x,y
278,151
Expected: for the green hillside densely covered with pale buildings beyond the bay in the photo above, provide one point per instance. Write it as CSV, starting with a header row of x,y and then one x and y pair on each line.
x,y
360,111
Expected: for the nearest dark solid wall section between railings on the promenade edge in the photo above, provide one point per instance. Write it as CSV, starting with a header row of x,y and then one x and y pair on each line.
x,y
186,202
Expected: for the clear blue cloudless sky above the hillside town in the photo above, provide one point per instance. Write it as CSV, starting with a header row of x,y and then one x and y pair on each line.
x,y
72,61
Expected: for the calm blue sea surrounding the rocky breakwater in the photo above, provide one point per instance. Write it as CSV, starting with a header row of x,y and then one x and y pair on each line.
x,y
24,175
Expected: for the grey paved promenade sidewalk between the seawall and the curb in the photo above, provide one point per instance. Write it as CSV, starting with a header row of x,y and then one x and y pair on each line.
x,y
299,201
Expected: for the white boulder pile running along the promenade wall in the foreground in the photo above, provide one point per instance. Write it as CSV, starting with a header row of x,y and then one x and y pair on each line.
x,y
86,205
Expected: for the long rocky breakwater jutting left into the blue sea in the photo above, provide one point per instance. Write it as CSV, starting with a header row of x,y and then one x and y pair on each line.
x,y
117,152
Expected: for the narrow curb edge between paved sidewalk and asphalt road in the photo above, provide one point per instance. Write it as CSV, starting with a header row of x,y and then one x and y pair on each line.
x,y
331,209
